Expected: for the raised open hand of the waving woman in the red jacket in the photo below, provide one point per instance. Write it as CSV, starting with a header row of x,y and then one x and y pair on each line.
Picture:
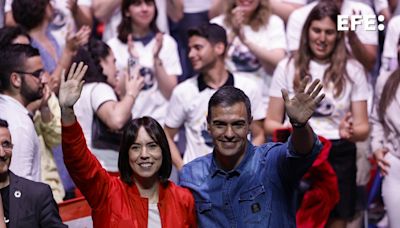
x,y
71,88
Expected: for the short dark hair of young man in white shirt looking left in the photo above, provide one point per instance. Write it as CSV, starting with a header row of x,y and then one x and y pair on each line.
x,y
212,32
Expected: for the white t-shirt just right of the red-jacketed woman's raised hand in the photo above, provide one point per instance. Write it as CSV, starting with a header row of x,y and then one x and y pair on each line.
x,y
93,95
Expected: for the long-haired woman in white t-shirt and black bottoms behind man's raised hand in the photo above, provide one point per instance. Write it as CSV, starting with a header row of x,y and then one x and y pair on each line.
x,y
342,116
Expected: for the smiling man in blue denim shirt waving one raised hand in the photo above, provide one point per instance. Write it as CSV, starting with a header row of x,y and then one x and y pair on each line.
x,y
239,185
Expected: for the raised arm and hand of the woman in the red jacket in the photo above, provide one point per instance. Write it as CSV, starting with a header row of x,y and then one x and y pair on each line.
x,y
84,168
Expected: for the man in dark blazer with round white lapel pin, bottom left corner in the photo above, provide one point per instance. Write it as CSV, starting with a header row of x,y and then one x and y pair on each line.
x,y
40,209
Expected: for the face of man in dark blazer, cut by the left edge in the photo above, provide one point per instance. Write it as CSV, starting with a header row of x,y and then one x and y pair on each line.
x,y
5,150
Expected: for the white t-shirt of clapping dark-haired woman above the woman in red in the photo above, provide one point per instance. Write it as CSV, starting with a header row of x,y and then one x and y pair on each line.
x,y
150,101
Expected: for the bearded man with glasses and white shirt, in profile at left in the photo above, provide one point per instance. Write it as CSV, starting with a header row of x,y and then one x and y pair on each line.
x,y
21,82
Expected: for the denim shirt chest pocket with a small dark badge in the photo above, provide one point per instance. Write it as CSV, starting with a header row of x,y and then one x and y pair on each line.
x,y
255,205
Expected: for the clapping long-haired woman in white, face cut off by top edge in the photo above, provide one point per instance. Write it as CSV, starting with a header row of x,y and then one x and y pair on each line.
x,y
257,40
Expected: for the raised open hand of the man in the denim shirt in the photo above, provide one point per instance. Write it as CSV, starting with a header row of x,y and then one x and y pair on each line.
x,y
300,108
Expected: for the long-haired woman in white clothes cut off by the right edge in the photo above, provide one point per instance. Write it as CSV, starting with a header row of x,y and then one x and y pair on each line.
x,y
385,135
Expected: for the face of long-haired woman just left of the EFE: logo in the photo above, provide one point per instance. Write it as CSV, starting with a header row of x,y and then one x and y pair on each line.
x,y
322,38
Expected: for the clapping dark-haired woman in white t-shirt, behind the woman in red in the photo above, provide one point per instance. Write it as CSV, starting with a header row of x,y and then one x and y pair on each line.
x,y
156,54
